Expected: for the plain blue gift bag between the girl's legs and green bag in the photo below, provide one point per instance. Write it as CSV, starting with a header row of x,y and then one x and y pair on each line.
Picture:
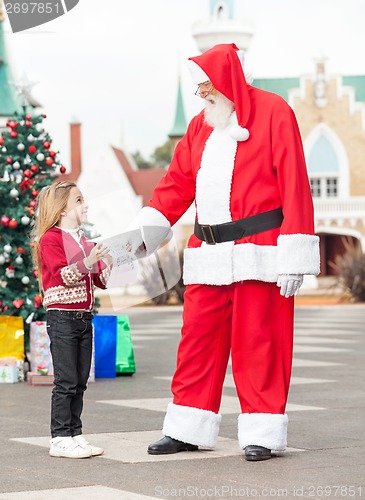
x,y
105,336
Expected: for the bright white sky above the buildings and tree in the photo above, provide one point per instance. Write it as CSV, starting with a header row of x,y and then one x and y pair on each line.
x,y
113,65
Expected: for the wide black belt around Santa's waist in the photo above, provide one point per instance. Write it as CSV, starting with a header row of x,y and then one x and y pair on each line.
x,y
235,230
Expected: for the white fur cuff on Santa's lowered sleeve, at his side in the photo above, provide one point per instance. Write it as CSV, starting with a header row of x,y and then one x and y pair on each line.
x,y
298,254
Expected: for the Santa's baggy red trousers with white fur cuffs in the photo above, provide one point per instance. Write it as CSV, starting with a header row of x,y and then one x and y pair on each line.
x,y
253,322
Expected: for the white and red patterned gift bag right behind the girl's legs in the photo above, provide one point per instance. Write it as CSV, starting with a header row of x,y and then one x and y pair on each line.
x,y
40,354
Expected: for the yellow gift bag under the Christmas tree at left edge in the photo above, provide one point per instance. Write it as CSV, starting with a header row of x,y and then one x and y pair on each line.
x,y
12,337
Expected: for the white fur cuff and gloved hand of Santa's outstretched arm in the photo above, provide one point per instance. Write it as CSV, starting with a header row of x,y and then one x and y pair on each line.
x,y
154,226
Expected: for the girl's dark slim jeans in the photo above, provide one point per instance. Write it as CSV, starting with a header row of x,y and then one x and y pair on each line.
x,y
70,333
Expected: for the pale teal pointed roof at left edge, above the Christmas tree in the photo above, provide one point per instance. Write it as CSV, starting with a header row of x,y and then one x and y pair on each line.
x,y
8,101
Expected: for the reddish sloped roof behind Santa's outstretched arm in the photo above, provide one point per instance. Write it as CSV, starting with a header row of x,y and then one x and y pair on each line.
x,y
142,181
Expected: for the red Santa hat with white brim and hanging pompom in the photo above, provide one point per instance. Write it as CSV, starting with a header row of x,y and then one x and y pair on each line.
x,y
223,66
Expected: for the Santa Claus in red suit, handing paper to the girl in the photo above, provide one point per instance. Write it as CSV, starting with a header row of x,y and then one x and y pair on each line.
x,y
241,162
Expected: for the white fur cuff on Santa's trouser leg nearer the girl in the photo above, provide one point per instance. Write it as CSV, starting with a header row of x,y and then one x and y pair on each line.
x,y
192,425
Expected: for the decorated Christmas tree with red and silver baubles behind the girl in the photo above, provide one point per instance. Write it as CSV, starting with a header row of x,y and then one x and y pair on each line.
x,y
27,164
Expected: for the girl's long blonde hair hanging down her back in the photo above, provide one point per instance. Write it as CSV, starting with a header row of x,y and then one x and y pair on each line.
x,y
51,202
